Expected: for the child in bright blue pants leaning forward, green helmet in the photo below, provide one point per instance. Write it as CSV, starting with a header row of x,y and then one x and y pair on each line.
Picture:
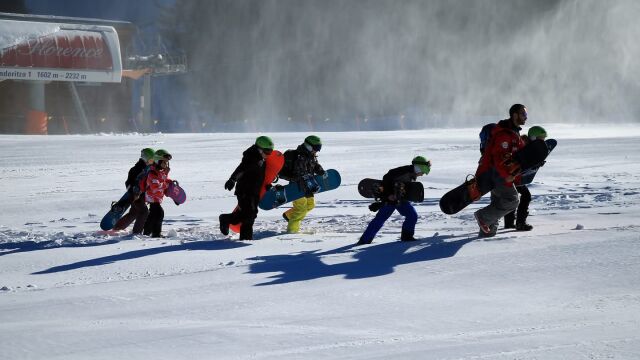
x,y
392,199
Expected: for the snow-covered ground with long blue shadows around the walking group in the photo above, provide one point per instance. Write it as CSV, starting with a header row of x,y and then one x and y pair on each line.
x,y
569,289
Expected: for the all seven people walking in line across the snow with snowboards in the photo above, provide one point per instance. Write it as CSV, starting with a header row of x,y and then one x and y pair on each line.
x,y
148,180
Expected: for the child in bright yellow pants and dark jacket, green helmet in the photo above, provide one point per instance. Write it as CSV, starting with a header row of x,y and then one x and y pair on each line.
x,y
300,166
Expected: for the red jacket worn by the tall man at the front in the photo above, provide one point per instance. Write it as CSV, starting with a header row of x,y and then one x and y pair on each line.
x,y
504,141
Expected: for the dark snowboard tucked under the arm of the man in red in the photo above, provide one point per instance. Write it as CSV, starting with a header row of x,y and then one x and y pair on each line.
x,y
529,157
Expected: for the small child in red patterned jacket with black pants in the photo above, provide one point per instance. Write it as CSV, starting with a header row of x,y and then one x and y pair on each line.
x,y
154,186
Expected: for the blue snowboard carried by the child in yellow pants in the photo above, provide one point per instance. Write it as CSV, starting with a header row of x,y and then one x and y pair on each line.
x,y
279,194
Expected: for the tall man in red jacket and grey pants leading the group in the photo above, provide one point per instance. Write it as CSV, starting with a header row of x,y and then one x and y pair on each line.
x,y
503,142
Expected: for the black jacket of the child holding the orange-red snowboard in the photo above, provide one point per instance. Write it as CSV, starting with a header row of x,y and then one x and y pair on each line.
x,y
249,175
